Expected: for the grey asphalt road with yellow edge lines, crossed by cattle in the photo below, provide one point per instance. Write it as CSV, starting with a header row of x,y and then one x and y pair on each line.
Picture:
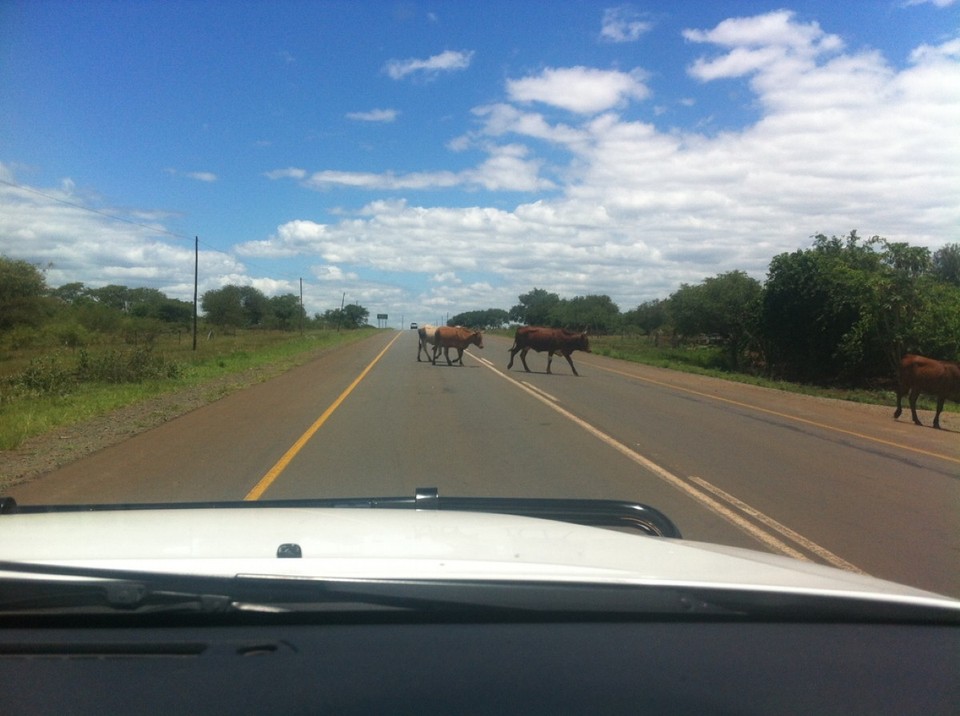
x,y
828,481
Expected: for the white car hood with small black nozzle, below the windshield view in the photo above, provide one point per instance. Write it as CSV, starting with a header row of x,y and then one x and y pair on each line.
x,y
343,543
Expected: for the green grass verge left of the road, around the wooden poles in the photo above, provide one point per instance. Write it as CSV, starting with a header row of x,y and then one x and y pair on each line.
x,y
27,412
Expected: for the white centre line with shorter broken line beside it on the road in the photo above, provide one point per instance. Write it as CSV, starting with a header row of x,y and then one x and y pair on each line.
x,y
765,537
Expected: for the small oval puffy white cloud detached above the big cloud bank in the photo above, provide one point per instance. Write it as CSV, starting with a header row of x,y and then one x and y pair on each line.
x,y
583,90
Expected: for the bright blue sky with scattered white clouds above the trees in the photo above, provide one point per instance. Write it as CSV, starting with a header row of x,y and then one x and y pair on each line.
x,y
429,158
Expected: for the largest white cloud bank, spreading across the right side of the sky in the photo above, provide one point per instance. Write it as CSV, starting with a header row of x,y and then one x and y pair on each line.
x,y
844,141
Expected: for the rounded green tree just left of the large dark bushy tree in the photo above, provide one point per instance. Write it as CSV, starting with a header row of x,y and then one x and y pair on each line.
x,y
727,306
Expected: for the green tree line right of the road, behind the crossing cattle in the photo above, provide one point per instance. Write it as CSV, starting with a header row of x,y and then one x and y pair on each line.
x,y
842,311
